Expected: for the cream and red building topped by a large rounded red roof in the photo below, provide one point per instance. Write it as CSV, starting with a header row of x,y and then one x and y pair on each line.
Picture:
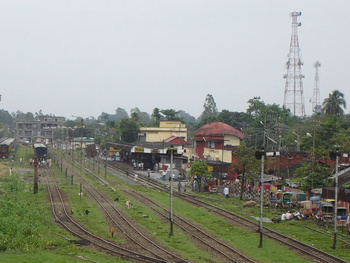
x,y
215,142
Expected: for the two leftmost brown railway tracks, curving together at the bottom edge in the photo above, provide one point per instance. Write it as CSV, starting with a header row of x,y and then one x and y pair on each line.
x,y
138,248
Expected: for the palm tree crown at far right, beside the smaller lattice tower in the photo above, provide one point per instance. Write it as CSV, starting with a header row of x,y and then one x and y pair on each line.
x,y
334,103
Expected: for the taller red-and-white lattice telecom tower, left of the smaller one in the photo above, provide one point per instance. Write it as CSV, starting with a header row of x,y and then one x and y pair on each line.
x,y
293,93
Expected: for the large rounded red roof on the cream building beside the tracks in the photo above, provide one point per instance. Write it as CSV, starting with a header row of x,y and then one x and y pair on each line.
x,y
218,128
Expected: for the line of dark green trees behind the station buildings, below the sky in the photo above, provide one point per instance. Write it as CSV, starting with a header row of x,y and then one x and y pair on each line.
x,y
263,125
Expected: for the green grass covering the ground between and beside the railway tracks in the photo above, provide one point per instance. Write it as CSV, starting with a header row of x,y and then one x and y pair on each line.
x,y
39,251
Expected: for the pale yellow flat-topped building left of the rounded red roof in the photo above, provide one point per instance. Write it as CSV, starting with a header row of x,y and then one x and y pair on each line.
x,y
165,130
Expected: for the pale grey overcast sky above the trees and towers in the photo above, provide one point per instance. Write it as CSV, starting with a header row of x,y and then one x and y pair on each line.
x,y
86,57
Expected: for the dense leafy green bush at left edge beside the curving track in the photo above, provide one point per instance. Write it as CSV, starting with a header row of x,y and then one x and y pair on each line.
x,y
24,222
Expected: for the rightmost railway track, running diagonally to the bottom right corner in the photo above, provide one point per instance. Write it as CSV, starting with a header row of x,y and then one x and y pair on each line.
x,y
236,220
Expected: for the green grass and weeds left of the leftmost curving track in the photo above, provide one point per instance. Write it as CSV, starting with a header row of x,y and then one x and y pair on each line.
x,y
28,232
